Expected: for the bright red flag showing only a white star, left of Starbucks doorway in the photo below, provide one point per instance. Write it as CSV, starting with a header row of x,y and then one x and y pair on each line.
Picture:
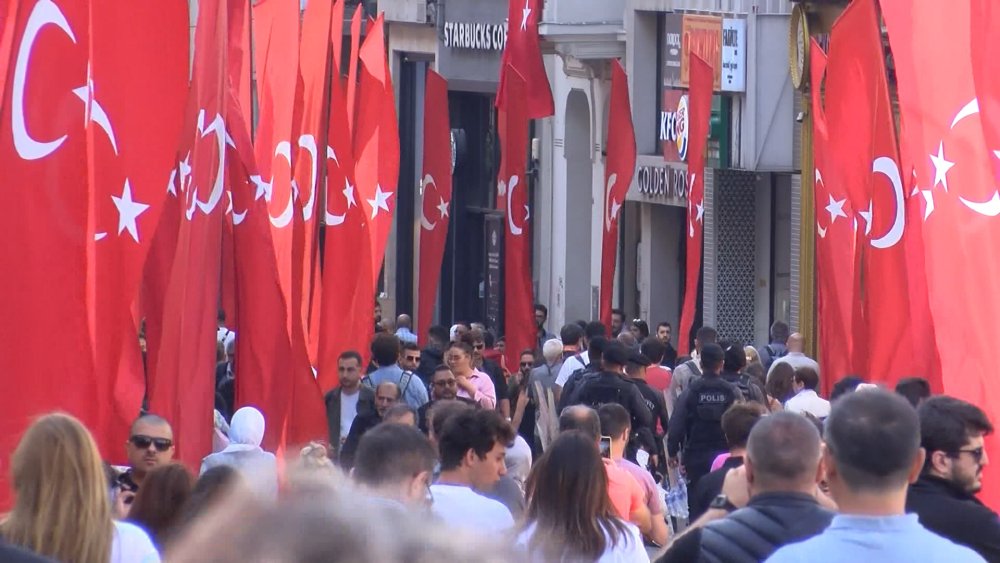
x,y
376,142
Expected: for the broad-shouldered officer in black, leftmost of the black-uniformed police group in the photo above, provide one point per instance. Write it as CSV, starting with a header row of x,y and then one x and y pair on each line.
x,y
610,386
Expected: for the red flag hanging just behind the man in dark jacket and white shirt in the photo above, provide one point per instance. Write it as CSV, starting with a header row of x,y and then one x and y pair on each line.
x,y
347,317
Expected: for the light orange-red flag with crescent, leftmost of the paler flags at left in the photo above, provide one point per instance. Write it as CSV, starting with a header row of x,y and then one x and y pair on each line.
x,y
276,53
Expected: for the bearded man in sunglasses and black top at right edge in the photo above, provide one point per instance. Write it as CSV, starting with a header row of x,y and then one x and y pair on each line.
x,y
952,432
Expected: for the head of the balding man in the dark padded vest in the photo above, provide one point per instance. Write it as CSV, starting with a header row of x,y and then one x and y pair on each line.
x,y
783,453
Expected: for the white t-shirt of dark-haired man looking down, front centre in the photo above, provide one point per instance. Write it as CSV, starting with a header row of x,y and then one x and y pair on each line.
x,y
464,508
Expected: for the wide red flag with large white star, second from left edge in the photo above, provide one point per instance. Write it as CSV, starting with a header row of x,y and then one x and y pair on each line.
x,y
135,98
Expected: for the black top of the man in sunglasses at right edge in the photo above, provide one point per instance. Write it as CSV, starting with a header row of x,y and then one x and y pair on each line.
x,y
953,513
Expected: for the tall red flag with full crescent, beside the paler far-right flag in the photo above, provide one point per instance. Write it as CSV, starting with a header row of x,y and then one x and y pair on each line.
x,y
866,158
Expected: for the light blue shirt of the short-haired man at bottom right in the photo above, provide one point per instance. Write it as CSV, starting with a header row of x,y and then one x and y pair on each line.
x,y
886,539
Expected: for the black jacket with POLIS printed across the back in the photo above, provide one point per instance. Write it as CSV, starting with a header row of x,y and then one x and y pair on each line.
x,y
697,418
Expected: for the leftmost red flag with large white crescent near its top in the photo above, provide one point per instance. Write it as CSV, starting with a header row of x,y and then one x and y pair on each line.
x,y
44,294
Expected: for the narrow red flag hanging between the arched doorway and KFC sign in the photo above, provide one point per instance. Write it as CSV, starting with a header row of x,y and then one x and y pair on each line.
x,y
618,171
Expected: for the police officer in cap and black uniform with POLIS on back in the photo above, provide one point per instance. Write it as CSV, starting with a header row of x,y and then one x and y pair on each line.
x,y
696,422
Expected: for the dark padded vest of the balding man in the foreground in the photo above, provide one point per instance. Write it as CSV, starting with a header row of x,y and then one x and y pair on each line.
x,y
752,534
